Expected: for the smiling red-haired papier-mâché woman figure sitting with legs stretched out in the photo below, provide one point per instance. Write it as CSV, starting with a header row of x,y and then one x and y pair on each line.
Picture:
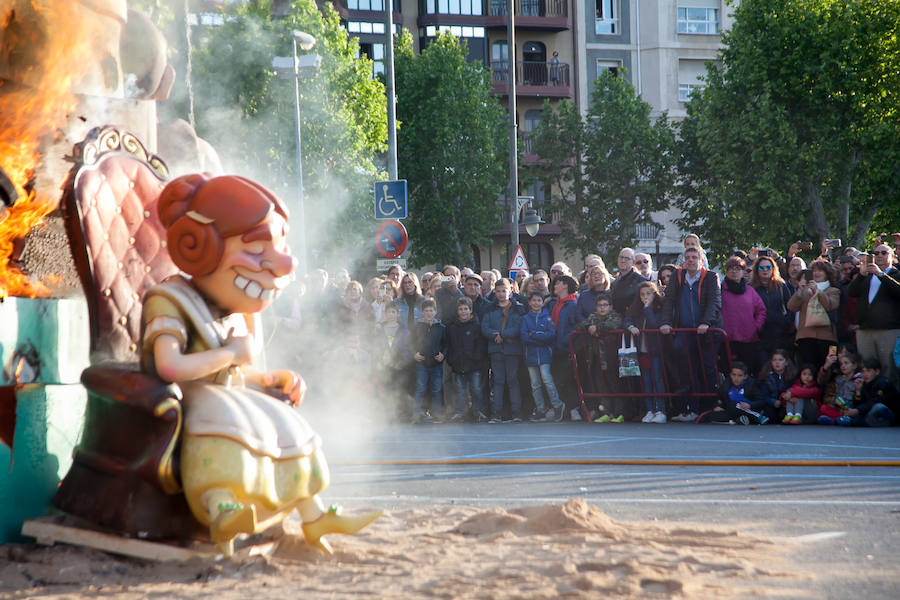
x,y
247,457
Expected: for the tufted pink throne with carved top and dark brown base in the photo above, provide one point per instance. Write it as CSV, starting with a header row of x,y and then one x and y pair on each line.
x,y
124,474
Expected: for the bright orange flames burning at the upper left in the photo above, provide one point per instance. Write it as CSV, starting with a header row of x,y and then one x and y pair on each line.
x,y
45,46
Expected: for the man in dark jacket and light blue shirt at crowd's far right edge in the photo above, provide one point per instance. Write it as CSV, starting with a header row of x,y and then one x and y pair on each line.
x,y
877,287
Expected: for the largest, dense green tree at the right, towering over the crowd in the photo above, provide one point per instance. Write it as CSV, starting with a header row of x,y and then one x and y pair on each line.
x,y
800,116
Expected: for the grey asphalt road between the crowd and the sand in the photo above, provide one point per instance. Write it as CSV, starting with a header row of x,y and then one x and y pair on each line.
x,y
848,517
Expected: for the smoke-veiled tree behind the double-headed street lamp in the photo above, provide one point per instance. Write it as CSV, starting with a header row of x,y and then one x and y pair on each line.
x,y
248,114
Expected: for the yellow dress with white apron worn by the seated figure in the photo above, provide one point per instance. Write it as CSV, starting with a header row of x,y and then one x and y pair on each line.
x,y
236,438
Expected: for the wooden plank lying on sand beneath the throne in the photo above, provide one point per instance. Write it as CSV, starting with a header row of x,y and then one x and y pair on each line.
x,y
48,530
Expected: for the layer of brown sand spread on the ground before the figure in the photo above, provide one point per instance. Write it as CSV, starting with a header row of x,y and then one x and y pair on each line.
x,y
572,550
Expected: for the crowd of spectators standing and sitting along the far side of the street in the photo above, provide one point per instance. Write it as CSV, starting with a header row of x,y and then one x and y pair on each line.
x,y
772,341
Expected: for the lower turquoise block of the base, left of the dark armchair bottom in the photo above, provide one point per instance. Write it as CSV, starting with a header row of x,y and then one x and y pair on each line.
x,y
49,419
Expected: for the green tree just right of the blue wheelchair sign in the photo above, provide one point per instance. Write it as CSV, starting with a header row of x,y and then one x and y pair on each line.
x,y
451,149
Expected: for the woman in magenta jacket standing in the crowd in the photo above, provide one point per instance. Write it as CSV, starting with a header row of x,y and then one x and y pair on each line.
x,y
743,315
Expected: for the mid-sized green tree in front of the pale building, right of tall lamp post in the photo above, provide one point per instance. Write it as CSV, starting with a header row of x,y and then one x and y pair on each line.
x,y
612,169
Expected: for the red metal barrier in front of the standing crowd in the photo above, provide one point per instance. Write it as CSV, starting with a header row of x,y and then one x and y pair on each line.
x,y
583,347
